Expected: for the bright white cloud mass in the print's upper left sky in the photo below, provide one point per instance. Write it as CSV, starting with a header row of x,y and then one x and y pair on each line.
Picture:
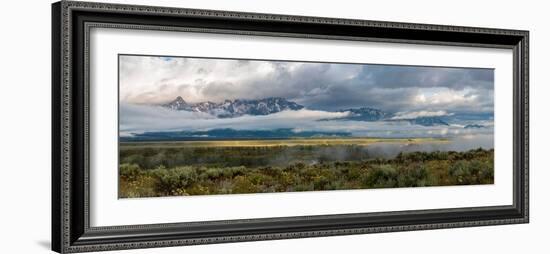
x,y
154,80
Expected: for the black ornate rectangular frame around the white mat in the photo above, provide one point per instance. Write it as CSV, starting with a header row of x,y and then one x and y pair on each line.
x,y
71,22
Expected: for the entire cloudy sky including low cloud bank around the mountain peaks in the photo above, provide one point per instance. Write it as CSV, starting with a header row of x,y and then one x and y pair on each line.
x,y
406,91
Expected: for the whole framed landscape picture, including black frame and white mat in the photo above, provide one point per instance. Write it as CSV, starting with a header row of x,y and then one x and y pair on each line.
x,y
182,126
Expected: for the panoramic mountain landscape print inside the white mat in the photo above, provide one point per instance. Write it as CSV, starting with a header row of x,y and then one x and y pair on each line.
x,y
210,126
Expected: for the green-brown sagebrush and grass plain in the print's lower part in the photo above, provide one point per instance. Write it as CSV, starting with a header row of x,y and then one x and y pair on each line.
x,y
173,171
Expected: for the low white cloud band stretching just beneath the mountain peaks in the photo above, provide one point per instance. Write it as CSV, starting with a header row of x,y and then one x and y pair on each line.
x,y
139,119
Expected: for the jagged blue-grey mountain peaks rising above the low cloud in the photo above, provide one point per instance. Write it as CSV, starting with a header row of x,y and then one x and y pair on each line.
x,y
271,105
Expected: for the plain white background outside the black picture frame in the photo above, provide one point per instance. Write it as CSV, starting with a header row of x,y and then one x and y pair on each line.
x,y
25,127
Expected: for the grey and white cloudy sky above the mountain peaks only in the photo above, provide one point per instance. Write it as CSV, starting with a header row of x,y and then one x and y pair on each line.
x,y
318,86
